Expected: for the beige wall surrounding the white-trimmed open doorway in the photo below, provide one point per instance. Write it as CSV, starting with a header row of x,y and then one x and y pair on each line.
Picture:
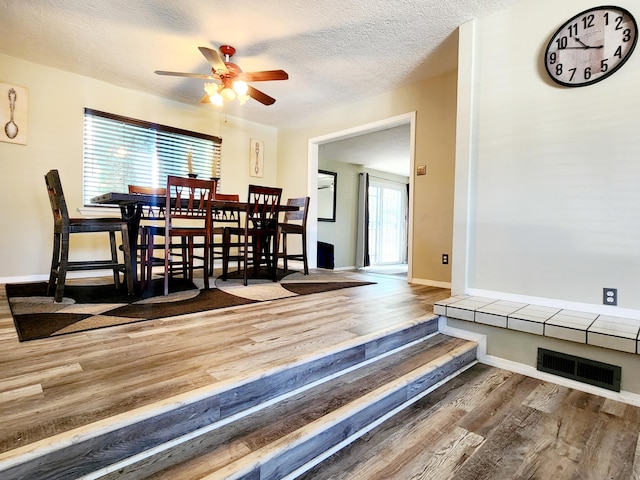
x,y
434,102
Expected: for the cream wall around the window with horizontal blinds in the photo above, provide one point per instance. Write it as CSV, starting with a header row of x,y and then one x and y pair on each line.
x,y
56,103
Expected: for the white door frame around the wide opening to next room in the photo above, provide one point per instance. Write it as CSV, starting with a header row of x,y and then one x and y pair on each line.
x,y
312,181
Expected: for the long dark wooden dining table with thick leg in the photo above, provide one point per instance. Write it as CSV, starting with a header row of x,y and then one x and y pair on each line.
x,y
132,206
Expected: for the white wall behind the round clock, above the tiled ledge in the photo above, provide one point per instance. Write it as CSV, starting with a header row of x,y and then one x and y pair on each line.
x,y
548,189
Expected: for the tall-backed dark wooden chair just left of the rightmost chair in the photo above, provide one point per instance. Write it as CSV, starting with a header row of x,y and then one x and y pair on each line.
x,y
258,234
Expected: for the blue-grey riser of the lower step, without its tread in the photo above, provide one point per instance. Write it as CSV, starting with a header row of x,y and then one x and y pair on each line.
x,y
326,437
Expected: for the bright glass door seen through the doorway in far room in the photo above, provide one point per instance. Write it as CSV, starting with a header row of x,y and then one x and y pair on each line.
x,y
388,214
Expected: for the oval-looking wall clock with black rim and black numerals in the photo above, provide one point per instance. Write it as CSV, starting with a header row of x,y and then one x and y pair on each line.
x,y
591,46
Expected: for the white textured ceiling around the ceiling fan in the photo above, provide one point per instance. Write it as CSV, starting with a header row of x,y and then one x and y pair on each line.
x,y
336,52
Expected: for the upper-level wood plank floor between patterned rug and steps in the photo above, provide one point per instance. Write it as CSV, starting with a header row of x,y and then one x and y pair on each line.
x,y
58,384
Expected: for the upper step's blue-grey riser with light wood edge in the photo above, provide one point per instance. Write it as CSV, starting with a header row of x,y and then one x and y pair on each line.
x,y
99,446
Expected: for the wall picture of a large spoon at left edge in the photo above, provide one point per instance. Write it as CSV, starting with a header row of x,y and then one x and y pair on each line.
x,y
13,113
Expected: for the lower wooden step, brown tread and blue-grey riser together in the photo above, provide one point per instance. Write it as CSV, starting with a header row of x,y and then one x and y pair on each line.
x,y
294,434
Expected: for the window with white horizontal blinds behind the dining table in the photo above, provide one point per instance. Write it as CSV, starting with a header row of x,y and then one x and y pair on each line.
x,y
120,151
